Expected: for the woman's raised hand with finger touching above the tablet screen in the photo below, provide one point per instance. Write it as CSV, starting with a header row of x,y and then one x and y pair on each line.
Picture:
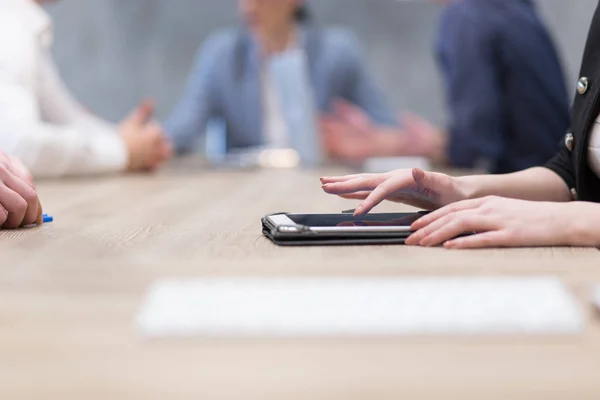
x,y
417,188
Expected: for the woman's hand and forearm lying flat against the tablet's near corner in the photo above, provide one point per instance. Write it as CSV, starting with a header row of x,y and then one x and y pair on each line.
x,y
501,222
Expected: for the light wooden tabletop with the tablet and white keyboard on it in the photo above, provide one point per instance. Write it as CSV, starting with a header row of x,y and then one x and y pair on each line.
x,y
69,292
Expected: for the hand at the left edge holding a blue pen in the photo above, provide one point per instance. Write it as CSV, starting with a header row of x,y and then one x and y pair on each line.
x,y
19,203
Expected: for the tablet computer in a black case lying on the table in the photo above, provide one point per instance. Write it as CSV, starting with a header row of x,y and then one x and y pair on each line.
x,y
289,229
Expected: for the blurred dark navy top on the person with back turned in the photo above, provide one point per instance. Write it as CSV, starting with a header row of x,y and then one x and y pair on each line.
x,y
504,83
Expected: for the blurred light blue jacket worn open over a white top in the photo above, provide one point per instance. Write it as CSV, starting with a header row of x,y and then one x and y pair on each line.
x,y
225,84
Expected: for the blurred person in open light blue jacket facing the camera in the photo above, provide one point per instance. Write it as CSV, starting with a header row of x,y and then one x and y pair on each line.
x,y
275,74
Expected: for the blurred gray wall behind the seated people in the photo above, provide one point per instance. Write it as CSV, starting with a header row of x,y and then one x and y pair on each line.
x,y
114,52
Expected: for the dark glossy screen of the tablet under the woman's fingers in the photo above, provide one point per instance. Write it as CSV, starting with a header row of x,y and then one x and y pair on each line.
x,y
334,220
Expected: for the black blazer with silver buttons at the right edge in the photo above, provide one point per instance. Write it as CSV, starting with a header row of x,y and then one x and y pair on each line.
x,y
571,163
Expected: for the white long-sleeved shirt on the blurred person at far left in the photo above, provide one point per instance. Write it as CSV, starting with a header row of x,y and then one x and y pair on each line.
x,y
39,121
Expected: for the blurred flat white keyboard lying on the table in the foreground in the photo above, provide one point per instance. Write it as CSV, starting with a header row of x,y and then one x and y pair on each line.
x,y
358,307
